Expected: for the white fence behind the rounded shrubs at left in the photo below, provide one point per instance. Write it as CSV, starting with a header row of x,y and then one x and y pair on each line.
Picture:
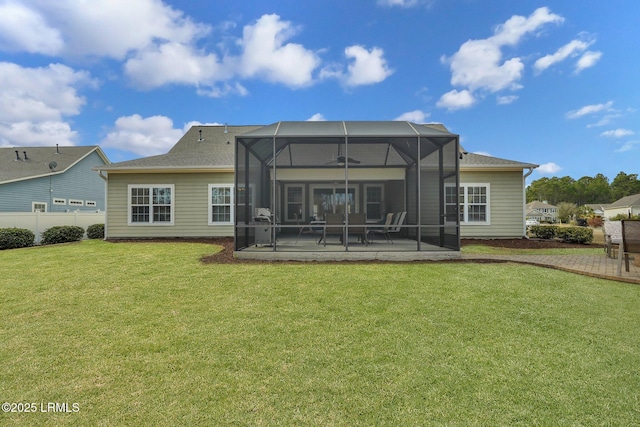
x,y
40,221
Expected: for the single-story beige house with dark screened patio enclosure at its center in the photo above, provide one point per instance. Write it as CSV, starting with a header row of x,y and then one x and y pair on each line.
x,y
215,177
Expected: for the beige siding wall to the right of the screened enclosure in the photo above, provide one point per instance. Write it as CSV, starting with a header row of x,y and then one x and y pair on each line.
x,y
506,205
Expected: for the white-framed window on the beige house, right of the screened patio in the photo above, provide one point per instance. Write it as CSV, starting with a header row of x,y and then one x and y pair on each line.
x,y
473,203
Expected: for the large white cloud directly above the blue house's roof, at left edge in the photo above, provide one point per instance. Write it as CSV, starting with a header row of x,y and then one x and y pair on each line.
x,y
35,101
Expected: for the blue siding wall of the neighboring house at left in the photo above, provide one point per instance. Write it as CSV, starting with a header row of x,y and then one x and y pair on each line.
x,y
79,183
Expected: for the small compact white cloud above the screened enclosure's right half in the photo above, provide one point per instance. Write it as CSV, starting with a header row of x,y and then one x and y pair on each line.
x,y
366,66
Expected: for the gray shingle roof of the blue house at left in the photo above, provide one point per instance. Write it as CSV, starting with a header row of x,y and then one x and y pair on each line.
x,y
41,161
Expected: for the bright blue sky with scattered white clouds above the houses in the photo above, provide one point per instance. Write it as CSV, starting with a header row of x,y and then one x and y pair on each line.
x,y
553,83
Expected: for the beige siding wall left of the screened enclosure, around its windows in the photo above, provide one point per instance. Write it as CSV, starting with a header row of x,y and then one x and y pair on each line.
x,y
191,206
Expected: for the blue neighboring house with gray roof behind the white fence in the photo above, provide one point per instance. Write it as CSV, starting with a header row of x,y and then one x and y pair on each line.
x,y
51,179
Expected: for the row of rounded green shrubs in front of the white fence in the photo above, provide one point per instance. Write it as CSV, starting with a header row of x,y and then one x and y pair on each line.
x,y
13,238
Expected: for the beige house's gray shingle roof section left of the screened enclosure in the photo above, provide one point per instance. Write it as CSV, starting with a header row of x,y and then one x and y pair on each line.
x,y
201,148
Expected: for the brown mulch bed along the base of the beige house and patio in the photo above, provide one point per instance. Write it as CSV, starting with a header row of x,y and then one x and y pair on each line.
x,y
225,256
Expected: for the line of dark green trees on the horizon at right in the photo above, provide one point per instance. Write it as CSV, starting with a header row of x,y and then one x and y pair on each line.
x,y
586,190
